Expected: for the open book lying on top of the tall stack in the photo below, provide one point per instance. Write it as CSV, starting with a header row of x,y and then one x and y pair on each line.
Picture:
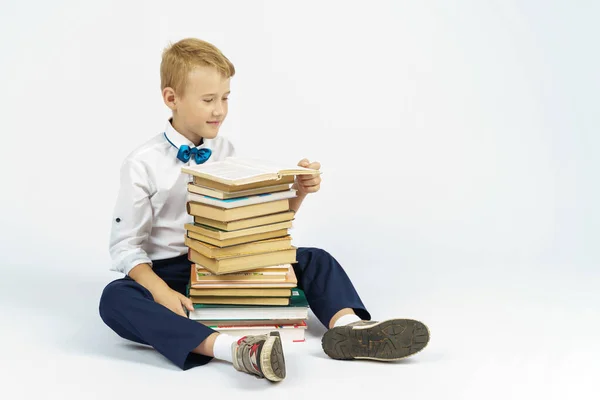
x,y
241,171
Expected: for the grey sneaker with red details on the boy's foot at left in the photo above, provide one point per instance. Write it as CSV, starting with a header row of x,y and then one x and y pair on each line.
x,y
261,355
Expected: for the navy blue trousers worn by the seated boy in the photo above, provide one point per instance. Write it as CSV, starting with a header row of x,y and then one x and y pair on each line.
x,y
130,310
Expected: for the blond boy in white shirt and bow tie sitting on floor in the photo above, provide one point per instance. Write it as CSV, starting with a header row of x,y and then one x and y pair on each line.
x,y
146,242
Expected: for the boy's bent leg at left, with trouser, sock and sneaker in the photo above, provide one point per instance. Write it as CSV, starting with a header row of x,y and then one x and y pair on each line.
x,y
130,310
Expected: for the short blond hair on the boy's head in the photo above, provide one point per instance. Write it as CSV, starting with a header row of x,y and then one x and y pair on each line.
x,y
180,58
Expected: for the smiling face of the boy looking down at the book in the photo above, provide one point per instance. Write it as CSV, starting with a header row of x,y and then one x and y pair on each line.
x,y
203,107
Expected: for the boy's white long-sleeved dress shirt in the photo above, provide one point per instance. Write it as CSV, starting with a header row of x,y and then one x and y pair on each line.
x,y
150,212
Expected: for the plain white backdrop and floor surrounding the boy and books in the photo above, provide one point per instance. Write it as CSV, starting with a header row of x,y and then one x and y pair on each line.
x,y
459,144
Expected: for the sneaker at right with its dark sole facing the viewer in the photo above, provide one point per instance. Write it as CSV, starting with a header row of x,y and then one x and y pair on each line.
x,y
388,340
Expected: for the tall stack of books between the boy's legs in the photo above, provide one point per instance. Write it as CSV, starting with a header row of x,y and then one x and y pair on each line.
x,y
241,280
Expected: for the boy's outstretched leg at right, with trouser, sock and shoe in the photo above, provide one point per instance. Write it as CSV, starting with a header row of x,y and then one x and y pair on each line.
x,y
334,300
